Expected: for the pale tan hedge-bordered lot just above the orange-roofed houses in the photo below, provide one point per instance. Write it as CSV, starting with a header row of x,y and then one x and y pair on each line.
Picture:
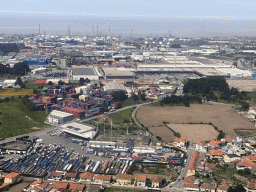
x,y
197,132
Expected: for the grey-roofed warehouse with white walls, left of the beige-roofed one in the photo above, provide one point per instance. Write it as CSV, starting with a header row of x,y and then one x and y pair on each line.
x,y
91,73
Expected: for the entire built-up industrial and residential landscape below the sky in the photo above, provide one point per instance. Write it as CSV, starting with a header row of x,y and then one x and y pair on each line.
x,y
108,113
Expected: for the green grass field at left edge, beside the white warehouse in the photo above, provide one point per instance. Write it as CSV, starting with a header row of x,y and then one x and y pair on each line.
x,y
16,119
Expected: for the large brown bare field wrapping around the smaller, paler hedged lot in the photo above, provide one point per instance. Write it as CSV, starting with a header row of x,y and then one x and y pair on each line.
x,y
221,116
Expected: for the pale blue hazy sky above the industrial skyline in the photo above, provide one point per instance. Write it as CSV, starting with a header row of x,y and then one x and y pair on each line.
x,y
141,17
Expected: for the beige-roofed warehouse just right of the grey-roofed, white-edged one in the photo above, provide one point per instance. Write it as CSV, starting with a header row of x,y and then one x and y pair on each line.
x,y
114,73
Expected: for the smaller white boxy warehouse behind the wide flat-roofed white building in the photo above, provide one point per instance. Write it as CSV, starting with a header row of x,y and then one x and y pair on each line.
x,y
59,117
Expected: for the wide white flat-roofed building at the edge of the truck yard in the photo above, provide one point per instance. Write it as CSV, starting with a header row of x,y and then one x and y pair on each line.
x,y
80,131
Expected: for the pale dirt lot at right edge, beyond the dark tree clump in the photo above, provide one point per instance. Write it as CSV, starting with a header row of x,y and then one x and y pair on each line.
x,y
242,85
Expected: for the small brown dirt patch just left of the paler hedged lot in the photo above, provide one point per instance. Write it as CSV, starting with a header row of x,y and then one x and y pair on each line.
x,y
163,132
